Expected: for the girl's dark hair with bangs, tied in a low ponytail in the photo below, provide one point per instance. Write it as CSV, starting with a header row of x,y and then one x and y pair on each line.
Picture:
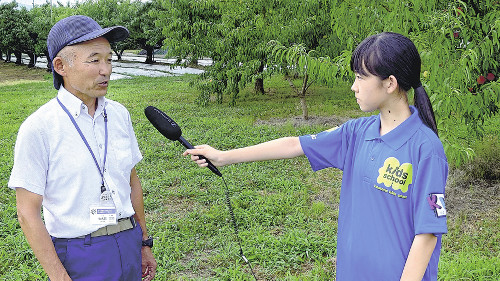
x,y
389,53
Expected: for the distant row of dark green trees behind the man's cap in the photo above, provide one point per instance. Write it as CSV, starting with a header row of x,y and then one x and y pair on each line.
x,y
25,31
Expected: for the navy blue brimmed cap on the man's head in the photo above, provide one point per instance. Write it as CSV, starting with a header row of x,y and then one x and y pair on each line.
x,y
77,29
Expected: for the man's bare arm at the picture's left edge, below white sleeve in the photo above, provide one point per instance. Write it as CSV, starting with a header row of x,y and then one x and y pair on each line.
x,y
28,212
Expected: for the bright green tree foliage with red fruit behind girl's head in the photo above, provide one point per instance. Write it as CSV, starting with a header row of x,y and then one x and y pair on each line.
x,y
458,42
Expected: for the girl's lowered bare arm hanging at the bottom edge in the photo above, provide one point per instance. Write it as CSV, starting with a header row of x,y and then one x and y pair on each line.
x,y
420,253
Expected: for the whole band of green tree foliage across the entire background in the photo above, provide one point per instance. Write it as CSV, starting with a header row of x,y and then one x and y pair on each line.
x,y
458,41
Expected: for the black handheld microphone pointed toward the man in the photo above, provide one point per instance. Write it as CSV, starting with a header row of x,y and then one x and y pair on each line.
x,y
168,128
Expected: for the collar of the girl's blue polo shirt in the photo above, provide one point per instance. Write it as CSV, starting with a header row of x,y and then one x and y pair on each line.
x,y
400,135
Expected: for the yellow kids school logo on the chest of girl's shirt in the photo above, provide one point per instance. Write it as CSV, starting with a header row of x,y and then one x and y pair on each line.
x,y
395,175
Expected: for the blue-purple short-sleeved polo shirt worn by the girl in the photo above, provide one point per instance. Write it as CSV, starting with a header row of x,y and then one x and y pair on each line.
x,y
392,189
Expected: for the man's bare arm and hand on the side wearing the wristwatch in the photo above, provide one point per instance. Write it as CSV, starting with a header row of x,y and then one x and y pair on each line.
x,y
148,260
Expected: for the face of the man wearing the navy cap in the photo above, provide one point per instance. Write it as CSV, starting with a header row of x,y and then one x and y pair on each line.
x,y
88,68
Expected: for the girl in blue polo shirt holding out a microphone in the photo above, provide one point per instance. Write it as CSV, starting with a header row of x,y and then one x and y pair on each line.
x,y
392,212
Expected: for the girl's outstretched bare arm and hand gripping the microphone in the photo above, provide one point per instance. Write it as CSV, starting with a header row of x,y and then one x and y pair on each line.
x,y
288,147
